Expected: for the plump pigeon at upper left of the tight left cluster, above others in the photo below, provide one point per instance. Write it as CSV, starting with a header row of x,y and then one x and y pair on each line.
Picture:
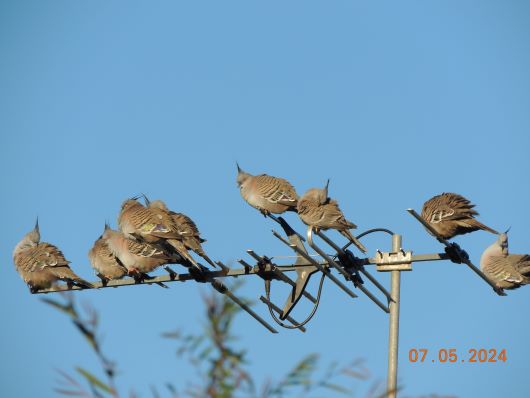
x,y
140,223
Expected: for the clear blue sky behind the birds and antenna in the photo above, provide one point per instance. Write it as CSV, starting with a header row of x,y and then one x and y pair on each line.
x,y
394,101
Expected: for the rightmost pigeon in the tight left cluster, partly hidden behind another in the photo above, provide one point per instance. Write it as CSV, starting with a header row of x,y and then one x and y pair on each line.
x,y
189,239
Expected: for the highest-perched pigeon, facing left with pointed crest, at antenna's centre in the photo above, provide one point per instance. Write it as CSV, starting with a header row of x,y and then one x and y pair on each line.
x,y
266,193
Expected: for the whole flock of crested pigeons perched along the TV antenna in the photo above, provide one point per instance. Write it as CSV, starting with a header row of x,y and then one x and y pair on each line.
x,y
151,235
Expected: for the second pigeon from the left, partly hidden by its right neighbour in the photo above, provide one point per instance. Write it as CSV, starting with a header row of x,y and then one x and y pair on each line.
x,y
105,263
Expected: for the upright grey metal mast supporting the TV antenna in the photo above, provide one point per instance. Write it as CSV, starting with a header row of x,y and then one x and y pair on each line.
x,y
393,335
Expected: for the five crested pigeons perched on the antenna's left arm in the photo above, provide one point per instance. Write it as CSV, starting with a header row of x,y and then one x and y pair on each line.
x,y
149,235
